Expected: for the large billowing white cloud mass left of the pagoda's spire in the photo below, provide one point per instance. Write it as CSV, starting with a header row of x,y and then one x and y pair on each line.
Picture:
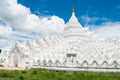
x,y
20,23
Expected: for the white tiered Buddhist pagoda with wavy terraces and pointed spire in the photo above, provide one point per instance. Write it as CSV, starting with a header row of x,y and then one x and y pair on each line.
x,y
74,49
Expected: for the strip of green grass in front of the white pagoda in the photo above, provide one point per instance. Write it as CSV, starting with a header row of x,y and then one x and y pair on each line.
x,y
41,74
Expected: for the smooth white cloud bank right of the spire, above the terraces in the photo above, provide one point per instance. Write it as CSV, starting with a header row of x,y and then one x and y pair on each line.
x,y
109,30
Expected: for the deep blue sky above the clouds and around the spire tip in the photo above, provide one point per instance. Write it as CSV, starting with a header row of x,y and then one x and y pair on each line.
x,y
108,9
